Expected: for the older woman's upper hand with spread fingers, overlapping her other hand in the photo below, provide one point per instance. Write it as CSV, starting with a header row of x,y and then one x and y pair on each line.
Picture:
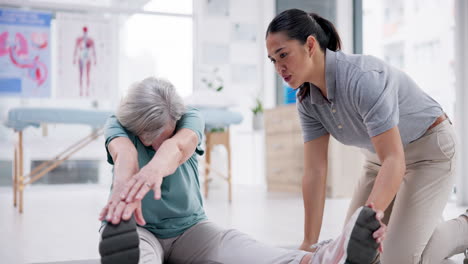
x,y
140,184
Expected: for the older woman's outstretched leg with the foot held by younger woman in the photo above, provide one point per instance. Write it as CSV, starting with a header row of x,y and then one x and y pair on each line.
x,y
207,243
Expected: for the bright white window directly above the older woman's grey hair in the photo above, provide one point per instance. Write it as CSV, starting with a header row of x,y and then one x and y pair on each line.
x,y
158,45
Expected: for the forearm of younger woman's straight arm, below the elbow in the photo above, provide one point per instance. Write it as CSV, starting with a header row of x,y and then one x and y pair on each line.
x,y
313,192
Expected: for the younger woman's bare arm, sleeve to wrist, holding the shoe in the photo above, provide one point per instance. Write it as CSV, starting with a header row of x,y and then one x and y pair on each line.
x,y
389,149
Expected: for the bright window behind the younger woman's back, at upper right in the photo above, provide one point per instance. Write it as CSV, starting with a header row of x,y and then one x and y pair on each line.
x,y
417,37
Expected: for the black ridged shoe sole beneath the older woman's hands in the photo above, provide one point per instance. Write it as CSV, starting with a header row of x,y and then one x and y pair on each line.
x,y
119,244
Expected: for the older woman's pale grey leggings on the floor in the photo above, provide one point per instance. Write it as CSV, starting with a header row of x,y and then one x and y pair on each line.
x,y
207,243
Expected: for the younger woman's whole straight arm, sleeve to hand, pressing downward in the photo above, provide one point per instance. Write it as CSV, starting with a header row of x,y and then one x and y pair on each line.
x,y
314,187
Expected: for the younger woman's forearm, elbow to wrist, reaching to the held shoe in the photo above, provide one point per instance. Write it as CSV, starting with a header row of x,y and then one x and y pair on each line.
x,y
387,182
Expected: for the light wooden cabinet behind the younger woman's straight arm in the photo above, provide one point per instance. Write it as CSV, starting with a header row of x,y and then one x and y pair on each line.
x,y
285,156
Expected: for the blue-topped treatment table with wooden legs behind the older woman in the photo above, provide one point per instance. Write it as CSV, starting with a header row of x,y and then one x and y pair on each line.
x,y
217,122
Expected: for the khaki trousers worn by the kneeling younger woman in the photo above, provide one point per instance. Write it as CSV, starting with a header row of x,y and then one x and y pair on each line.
x,y
416,232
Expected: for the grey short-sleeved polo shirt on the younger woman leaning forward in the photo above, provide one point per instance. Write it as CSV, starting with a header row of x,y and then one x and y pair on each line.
x,y
365,97
